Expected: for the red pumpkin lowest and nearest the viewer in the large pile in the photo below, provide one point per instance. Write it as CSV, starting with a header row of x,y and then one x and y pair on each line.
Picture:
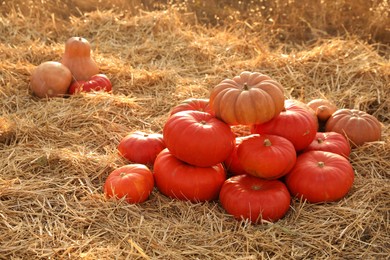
x,y
246,197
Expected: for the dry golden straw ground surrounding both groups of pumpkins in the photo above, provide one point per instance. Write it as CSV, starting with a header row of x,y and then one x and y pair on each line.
x,y
55,154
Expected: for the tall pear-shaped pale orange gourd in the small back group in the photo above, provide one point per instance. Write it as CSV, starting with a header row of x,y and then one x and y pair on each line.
x,y
77,57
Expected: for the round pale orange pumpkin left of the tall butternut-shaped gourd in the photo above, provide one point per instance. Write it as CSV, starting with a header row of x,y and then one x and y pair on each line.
x,y
50,79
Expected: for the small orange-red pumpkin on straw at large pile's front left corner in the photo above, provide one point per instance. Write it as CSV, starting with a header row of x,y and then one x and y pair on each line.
x,y
134,182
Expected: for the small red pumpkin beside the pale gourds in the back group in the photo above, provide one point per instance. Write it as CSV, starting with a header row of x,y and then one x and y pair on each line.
x,y
98,82
